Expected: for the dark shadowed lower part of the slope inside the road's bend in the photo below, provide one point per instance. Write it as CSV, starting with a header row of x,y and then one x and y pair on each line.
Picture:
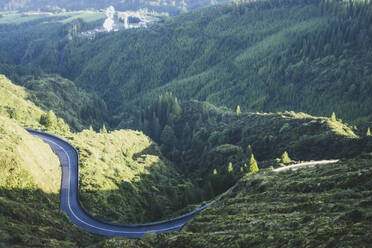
x,y
158,194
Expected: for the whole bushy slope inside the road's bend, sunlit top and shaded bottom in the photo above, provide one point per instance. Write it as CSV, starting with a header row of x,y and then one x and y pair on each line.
x,y
125,178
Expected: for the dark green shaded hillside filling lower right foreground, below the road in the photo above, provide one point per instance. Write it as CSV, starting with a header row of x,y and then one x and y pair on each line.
x,y
324,206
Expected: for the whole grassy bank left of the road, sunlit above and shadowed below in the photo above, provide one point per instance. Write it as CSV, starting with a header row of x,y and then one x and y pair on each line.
x,y
29,193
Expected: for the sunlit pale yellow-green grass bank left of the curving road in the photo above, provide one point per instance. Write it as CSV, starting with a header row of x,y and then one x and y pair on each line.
x,y
26,162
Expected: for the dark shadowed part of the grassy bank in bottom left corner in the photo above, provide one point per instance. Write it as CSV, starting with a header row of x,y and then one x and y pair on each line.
x,y
31,217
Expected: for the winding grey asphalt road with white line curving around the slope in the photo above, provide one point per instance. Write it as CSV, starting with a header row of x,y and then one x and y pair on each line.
x,y
70,203
